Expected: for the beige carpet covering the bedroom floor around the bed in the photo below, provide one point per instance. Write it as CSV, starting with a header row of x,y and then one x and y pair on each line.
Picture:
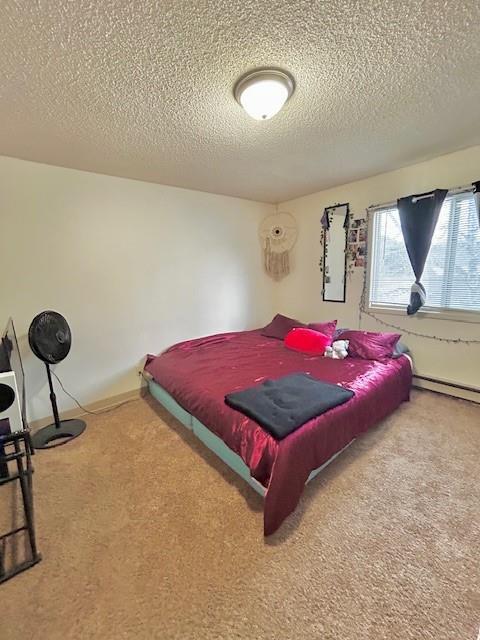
x,y
145,534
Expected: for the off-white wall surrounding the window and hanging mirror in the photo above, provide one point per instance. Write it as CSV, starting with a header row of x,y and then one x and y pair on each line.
x,y
300,294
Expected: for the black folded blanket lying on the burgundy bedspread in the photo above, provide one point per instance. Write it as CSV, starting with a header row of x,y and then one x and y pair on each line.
x,y
283,405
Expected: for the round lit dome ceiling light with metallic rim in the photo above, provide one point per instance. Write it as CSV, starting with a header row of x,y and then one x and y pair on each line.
x,y
262,93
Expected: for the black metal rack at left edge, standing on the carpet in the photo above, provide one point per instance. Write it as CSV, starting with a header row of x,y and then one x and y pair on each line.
x,y
16,465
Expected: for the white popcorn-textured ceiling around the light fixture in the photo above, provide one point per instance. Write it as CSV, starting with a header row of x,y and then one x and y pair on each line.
x,y
143,89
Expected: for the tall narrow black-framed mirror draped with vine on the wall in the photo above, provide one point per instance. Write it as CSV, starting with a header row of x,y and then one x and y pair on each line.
x,y
335,231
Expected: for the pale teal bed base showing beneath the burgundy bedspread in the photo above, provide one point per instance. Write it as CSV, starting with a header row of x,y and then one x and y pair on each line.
x,y
213,442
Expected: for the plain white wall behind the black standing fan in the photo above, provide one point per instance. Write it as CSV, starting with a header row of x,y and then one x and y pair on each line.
x,y
133,266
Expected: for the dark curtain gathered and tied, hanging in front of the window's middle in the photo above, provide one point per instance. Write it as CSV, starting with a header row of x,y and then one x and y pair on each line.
x,y
418,218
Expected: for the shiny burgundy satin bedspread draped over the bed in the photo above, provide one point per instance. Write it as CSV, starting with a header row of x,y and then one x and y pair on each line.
x,y
199,373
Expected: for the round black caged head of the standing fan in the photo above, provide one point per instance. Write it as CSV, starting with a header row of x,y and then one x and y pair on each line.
x,y
50,337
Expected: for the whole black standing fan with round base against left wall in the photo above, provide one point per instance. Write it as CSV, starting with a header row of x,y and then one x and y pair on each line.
x,y
50,340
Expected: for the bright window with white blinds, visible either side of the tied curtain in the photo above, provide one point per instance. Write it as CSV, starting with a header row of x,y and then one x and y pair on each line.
x,y
452,270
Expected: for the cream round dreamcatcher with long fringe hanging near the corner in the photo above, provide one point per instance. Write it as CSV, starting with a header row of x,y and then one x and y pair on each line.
x,y
278,234
